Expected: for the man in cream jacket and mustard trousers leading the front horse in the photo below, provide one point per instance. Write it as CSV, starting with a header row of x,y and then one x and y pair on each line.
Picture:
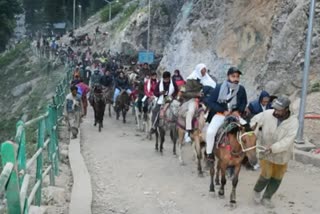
x,y
279,127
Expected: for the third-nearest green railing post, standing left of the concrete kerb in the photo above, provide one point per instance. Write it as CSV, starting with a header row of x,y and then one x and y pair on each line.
x,y
41,138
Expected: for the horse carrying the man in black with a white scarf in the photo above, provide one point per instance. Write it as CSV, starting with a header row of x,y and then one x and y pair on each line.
x,y
167,121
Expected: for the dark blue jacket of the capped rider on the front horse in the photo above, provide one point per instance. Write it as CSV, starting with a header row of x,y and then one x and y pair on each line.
x,y
216,107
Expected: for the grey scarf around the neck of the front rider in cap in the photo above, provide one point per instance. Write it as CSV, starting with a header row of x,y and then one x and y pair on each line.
x,y
228,94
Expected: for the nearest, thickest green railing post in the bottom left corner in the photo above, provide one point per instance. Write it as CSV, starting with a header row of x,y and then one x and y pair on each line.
x,y
9,155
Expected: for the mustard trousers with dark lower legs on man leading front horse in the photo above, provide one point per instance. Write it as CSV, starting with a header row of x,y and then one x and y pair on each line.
x,y
270,178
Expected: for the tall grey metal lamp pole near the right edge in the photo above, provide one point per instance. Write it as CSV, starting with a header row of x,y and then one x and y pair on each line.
x,y
299,139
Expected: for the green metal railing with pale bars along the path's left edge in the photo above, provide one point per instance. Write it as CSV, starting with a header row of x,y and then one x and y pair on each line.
x,y
14,179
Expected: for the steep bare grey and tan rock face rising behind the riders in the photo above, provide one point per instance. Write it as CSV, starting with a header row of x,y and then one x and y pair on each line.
x,y
265,39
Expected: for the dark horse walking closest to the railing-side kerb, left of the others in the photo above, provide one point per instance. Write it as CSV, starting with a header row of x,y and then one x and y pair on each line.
x,y
97,101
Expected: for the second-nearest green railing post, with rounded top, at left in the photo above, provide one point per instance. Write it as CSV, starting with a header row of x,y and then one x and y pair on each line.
x,y
20,139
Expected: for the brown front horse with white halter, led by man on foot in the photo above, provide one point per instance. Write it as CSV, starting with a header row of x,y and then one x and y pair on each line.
x,y
233,143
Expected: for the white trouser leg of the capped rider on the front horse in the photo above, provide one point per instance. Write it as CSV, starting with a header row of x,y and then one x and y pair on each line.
x,y
212,130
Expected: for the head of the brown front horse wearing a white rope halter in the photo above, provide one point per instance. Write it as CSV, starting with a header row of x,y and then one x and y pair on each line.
x,y
247,140
